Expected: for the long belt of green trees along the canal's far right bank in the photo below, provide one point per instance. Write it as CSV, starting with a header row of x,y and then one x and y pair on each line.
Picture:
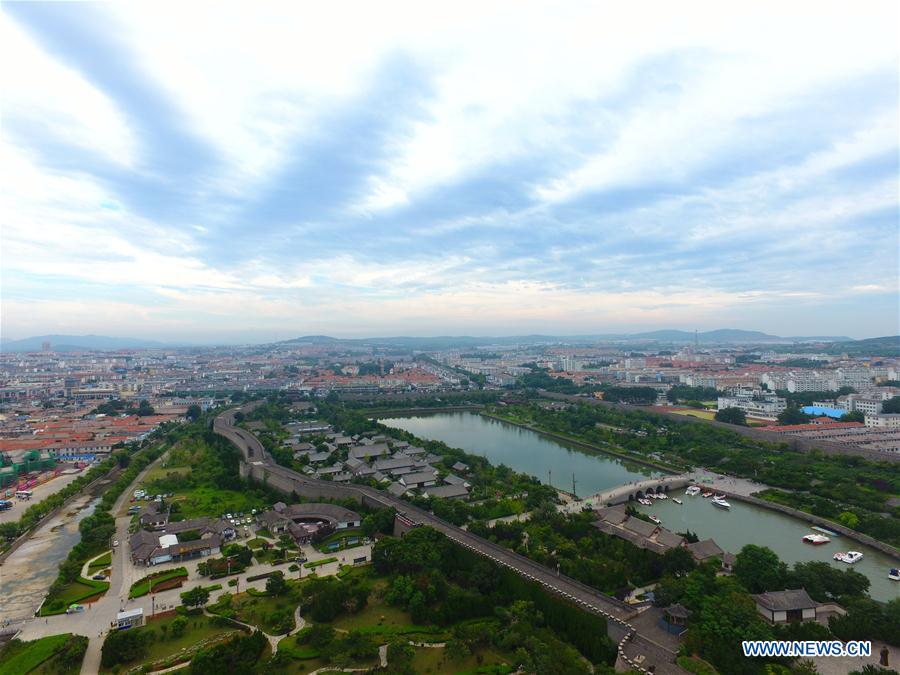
x,y
841,488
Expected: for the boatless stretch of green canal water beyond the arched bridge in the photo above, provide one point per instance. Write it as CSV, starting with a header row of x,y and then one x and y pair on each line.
x,y
525,451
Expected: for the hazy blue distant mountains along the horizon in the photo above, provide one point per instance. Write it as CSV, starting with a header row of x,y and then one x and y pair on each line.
x,y
839,344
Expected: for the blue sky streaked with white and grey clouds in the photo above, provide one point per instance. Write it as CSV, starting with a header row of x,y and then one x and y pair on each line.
x,y
253,171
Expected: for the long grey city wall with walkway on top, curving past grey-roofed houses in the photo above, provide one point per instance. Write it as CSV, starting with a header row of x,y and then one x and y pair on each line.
x,y
638,650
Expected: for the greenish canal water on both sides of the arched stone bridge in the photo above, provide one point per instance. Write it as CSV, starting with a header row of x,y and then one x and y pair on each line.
x,y
529,452
